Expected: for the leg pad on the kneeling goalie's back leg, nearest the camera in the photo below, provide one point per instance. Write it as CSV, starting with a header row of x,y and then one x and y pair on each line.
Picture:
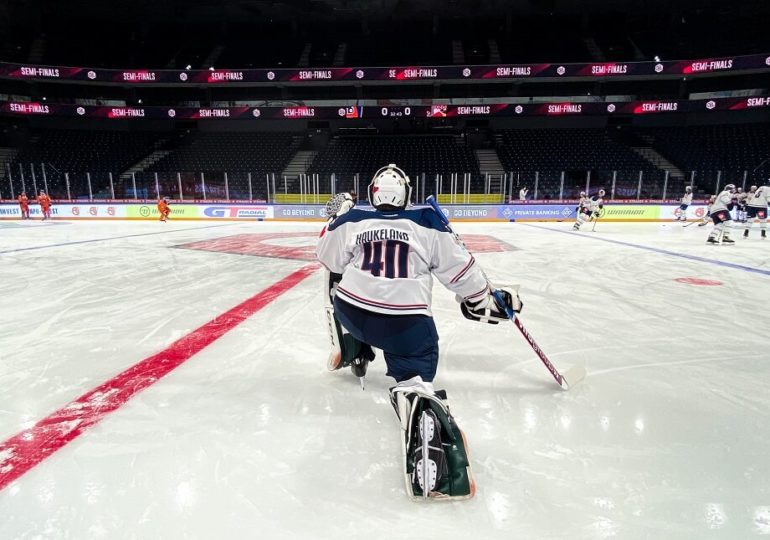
x,y
434,449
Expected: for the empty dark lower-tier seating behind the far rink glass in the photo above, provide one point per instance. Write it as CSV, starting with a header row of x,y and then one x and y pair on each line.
x,y
534,157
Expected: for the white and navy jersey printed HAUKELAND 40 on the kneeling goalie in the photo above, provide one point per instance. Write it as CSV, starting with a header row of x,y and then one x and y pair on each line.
x,y
387,260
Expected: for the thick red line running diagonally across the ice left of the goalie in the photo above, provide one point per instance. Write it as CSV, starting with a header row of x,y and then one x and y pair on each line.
x,y
25,450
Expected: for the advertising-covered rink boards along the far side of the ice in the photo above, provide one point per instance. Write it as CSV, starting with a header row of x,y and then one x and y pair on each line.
x,y
224,211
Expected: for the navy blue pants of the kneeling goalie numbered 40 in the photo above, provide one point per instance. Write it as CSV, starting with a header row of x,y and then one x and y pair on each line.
x,y
410,342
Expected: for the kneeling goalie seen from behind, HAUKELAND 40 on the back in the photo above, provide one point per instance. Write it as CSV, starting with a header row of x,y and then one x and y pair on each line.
x,y
387,259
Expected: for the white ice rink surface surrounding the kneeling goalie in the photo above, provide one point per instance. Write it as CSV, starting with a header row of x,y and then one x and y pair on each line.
x,y
667,437
